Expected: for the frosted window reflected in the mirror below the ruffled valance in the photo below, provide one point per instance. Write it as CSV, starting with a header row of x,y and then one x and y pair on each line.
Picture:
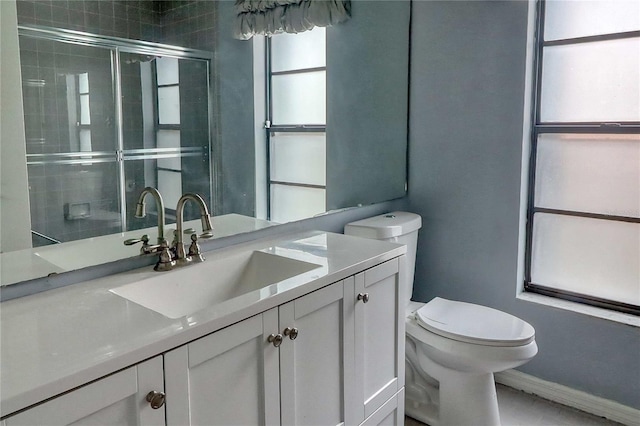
x,y
296,125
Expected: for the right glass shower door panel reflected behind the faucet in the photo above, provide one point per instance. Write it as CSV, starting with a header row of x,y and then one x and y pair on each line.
x,y
165,109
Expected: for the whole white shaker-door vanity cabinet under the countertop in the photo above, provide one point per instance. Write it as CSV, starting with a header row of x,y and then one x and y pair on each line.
x,y
332,356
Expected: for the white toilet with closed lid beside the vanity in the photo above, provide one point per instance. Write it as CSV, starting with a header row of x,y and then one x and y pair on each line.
x,y
453,348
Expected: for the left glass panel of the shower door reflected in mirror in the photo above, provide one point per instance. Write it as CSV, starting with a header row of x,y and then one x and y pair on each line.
x,y
70,128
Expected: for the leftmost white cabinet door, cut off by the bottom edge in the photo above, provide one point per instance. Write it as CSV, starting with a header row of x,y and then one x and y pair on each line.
x,y
118,399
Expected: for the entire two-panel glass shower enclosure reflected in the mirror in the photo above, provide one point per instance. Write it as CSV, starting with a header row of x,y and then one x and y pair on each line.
x,y
106,117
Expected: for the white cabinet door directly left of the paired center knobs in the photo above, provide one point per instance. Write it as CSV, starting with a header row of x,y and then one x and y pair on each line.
x,y
227,378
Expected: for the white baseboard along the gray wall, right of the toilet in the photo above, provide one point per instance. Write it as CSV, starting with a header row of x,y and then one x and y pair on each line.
x,y
570,397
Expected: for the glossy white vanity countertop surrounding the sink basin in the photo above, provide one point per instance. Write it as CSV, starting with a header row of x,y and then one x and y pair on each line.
x,y
60,339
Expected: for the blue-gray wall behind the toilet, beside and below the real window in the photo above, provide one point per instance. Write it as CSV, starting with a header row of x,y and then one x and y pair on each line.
x,y
466,113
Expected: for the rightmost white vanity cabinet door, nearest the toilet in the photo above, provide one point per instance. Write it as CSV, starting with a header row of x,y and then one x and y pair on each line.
x,y
379,336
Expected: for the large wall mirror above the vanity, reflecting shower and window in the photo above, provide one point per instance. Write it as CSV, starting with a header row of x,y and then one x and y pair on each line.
x,y
279,128
